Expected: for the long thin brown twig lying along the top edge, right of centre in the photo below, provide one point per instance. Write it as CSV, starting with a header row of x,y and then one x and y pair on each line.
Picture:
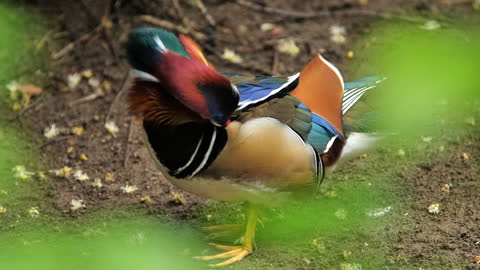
x,y
310,15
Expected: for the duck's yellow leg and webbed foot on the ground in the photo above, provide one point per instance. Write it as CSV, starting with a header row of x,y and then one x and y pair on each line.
x,y
236,253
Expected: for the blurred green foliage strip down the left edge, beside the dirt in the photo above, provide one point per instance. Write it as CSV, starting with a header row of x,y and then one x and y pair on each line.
x,y
18,27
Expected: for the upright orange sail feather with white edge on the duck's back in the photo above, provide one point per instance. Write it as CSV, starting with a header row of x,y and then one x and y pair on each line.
x,y
321,89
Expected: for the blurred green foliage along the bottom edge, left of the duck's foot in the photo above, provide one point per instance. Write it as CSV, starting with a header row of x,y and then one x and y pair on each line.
x,y
119,245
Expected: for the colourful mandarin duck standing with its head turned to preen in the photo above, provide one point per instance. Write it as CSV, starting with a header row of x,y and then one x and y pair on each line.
x,y
235,137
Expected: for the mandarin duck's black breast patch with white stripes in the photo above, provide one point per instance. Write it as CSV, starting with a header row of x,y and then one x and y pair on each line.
x,y
188,149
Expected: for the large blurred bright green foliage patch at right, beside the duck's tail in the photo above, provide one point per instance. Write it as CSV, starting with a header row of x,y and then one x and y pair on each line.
x,y
432,74
